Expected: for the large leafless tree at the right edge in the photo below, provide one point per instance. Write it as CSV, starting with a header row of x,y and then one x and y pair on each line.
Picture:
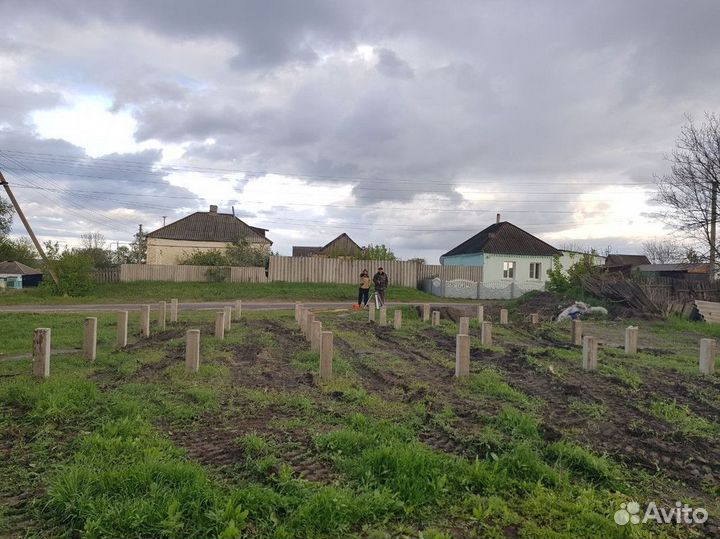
x,y
689,191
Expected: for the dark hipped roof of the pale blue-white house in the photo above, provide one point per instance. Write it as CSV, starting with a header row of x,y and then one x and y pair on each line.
x,y
504,238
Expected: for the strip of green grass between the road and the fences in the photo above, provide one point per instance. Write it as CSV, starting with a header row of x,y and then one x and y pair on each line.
x,y
144,291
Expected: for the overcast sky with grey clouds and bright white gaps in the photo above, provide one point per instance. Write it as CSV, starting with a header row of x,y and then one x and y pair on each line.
x,y
410,123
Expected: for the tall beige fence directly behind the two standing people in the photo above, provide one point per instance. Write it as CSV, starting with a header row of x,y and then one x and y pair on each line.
x,y
337,270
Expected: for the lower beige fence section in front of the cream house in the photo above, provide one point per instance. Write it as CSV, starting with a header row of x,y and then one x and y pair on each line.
x,y
184,274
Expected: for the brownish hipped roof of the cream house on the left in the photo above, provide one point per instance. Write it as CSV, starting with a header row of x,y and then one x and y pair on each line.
x,y
210,226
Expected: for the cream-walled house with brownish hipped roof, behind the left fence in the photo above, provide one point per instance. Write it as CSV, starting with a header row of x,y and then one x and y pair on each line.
x,y
201,231
